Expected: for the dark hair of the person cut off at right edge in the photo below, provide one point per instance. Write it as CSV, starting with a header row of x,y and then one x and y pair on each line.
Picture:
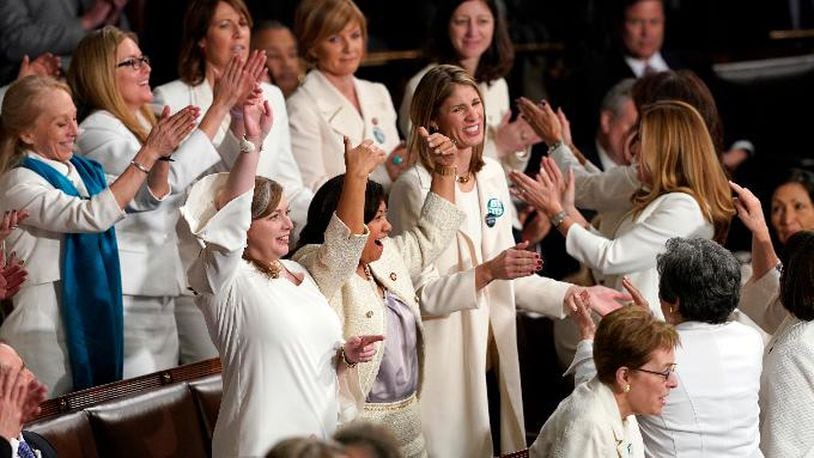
x,y
797,279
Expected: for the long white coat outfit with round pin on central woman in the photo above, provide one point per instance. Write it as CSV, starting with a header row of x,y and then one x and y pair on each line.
x,y
454,401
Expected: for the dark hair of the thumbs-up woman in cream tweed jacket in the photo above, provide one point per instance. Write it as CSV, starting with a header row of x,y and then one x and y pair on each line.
x,y
324,204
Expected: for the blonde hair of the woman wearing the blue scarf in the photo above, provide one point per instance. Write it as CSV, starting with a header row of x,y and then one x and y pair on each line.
x,y
25,100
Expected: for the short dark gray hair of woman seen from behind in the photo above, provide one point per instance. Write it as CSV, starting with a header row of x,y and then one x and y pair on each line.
x,y
703,276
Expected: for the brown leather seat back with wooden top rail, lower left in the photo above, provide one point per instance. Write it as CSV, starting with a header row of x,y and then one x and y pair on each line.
x,y
170,413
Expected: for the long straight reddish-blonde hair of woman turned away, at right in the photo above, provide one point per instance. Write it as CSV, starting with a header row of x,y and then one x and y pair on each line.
x,y
678,155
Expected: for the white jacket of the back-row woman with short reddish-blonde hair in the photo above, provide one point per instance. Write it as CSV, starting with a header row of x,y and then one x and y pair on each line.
x,y
320,116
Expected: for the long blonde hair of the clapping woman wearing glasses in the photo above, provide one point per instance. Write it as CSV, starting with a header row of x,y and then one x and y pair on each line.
x,y
92,77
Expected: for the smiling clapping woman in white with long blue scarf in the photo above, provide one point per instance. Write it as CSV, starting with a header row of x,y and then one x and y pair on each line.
x,y
73,292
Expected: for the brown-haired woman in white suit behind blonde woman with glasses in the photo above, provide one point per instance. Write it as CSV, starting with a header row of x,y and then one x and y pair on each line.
x,y
216,32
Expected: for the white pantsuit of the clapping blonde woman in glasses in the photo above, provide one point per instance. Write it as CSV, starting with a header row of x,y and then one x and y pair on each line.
x,y
152,272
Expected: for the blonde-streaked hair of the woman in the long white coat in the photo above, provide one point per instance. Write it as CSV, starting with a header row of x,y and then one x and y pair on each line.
x,y
432,91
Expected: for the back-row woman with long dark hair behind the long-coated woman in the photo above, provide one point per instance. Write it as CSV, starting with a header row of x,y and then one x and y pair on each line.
x,y
473,34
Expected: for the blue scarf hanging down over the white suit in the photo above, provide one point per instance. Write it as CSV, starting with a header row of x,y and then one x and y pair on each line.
x,y
91,286
